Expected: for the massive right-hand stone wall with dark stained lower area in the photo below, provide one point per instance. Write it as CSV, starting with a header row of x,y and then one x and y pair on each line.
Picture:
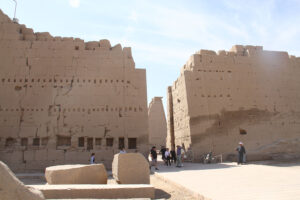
x,y
245,94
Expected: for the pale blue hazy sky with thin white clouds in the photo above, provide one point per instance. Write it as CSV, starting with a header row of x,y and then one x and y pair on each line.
x,y
164,33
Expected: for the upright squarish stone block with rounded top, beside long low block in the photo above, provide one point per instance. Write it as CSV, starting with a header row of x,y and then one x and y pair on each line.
x,y
131,168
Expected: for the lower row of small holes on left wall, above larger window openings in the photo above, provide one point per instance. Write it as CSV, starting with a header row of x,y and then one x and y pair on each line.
x,y
135,109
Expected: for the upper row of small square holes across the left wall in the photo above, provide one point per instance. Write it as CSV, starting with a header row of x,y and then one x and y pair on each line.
x,y
63,80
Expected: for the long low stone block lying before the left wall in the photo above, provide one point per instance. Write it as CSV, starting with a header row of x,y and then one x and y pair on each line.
x,y
76,174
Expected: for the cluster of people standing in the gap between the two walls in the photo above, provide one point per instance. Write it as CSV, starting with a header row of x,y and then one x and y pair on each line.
x,y
167,156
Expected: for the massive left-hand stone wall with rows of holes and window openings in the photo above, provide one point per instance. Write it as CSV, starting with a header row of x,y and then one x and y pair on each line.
x,y
62,99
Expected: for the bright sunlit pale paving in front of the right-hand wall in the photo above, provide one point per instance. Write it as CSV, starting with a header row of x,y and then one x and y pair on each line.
x,y
229,181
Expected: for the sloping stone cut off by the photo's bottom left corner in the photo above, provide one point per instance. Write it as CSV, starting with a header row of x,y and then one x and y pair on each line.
x,y
13,189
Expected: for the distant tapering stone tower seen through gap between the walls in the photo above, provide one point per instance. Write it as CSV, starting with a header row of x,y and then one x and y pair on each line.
x,y
157,123
